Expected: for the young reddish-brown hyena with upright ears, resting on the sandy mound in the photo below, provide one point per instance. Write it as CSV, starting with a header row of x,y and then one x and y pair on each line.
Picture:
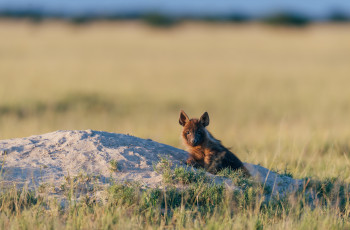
x,y
206,151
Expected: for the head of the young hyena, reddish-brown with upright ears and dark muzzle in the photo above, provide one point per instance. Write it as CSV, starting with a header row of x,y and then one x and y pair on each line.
x,y
194,132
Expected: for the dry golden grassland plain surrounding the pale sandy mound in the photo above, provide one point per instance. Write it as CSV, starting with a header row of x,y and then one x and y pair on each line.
x,y
278,96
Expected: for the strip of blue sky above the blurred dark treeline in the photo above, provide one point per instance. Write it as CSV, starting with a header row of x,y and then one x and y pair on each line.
x,y
317,9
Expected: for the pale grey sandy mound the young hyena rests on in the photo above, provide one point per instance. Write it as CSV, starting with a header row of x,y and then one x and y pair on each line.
x,y
50,157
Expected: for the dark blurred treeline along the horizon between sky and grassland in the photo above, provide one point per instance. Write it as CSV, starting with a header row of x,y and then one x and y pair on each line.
x,y
164,20
